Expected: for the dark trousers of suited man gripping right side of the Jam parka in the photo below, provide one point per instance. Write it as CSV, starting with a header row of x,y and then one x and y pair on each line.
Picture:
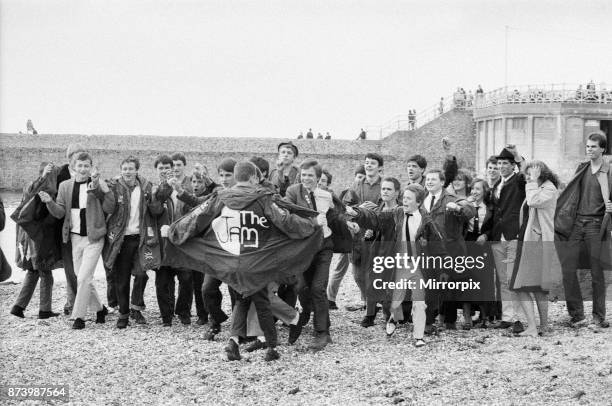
x,y
314,293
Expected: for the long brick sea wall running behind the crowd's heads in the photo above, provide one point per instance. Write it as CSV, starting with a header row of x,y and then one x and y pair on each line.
x,y
20,155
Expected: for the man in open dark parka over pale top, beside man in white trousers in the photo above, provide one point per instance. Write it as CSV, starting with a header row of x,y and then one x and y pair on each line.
x,y
127,232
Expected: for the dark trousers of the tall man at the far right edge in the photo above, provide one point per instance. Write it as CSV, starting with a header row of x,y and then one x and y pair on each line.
x,y
586,231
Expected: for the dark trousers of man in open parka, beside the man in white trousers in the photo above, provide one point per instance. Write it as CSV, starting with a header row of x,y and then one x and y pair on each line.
x,y
122,272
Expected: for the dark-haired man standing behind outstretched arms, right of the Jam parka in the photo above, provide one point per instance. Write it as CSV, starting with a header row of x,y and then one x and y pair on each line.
x,y
368,190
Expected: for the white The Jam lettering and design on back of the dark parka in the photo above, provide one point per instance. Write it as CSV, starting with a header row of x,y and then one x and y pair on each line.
x,y
238,229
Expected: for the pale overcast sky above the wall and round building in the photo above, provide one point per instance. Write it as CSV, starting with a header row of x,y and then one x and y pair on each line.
x,y
275,68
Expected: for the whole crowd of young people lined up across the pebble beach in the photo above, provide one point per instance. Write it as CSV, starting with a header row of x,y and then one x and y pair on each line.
x,y
270,234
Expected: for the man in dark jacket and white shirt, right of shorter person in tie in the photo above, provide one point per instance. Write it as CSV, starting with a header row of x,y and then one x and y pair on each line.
x,y
451,216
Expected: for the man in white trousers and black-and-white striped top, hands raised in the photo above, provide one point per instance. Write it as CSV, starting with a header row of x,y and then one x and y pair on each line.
x,y
83,203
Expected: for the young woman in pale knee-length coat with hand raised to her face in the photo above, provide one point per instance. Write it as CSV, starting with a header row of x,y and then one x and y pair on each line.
x,y
536,254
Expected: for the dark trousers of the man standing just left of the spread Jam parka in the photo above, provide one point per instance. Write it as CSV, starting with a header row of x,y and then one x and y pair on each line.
x,y
164,288
